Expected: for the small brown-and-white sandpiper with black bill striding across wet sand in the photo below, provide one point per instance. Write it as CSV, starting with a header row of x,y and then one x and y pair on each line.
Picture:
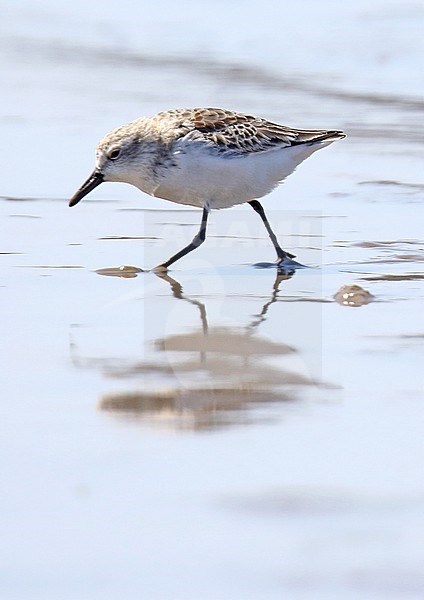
x,y
205,157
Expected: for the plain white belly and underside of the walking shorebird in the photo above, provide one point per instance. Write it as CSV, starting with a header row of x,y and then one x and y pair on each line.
x,y
205,178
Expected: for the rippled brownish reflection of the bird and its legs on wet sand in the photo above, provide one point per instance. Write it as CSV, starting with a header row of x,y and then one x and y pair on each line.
x,y
215,375
